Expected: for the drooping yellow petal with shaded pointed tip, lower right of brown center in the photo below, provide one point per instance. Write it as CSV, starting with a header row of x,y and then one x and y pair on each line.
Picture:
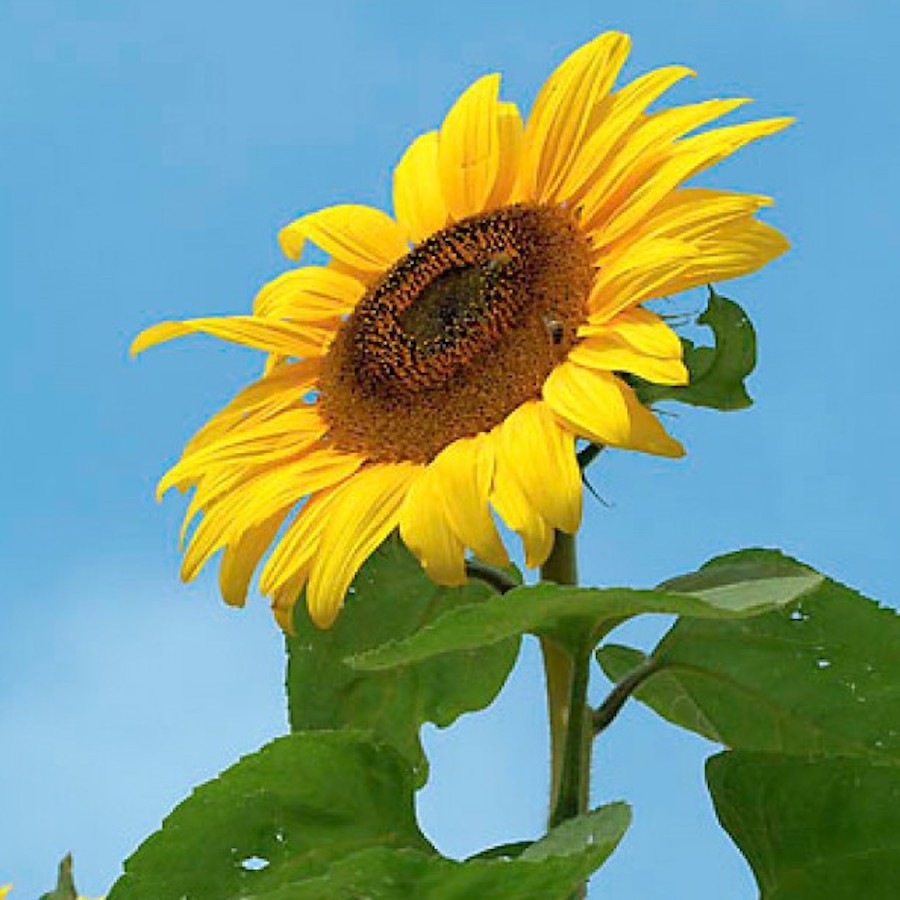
x,y
598,406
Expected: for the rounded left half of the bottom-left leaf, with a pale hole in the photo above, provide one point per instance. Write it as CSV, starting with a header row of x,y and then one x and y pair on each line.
x,y
301,801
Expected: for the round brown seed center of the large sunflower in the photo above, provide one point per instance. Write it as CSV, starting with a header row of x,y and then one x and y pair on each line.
x,y
457,334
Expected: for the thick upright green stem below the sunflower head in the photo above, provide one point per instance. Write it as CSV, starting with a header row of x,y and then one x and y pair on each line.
x,y
567,667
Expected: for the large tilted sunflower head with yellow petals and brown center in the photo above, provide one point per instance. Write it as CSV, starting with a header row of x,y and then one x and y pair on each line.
x,y
439,369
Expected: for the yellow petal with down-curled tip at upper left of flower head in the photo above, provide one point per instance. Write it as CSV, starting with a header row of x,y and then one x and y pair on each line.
x,y
364,238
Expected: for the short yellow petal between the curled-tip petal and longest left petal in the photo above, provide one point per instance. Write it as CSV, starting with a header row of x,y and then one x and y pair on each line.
x,y
310,294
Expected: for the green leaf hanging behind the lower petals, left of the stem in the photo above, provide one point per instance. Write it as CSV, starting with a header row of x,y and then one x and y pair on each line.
x,y
390,598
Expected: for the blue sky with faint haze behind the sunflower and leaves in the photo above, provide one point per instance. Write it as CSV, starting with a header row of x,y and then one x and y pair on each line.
x,y
151,152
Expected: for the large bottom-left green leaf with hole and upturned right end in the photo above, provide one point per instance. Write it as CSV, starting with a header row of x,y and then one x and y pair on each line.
x,y
330,815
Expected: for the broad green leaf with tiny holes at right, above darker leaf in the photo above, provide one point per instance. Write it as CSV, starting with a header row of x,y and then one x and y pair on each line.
x,y
819,676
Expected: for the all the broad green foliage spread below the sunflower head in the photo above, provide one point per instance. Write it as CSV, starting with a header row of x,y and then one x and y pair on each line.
x,y
798,675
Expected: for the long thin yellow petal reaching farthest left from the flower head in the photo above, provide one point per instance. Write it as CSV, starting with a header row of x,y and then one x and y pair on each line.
x,y
271,335
